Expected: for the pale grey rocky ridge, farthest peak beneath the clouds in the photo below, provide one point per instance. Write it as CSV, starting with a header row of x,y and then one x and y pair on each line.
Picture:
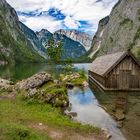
x,y
75,35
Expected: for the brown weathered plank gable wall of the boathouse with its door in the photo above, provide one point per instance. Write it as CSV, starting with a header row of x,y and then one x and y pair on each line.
x,y
125,75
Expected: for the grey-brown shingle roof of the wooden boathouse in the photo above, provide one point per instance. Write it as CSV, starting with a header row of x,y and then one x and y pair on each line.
x,y
103,64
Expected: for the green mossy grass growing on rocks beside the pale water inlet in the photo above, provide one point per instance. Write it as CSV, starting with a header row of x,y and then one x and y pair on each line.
x,y
51,93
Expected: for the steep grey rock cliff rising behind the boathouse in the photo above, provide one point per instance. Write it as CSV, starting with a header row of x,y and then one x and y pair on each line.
x,y
119,31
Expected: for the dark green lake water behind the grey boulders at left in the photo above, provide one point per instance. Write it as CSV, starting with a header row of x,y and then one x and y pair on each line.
x,y
25,70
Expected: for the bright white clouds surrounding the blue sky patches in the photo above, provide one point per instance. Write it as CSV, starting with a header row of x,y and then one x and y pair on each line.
x,y
74,10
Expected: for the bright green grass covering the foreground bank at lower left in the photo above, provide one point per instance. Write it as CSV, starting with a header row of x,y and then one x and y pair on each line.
x,y
16,115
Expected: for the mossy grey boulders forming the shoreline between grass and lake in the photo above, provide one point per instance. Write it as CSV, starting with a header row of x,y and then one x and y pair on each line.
x,y
43,88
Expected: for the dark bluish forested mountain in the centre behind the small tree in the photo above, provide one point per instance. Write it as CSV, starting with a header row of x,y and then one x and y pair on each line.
x,y
71,48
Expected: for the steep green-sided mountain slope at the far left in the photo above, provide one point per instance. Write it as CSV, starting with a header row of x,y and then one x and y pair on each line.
x,y
14,45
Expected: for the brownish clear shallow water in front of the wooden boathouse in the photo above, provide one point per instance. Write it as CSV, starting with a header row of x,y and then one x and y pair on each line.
x,y
120,104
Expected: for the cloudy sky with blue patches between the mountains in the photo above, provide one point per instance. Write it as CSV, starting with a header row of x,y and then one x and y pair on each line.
x,y
82,15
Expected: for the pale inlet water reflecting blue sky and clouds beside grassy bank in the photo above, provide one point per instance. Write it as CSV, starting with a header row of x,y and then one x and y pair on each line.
x,y
88,110
